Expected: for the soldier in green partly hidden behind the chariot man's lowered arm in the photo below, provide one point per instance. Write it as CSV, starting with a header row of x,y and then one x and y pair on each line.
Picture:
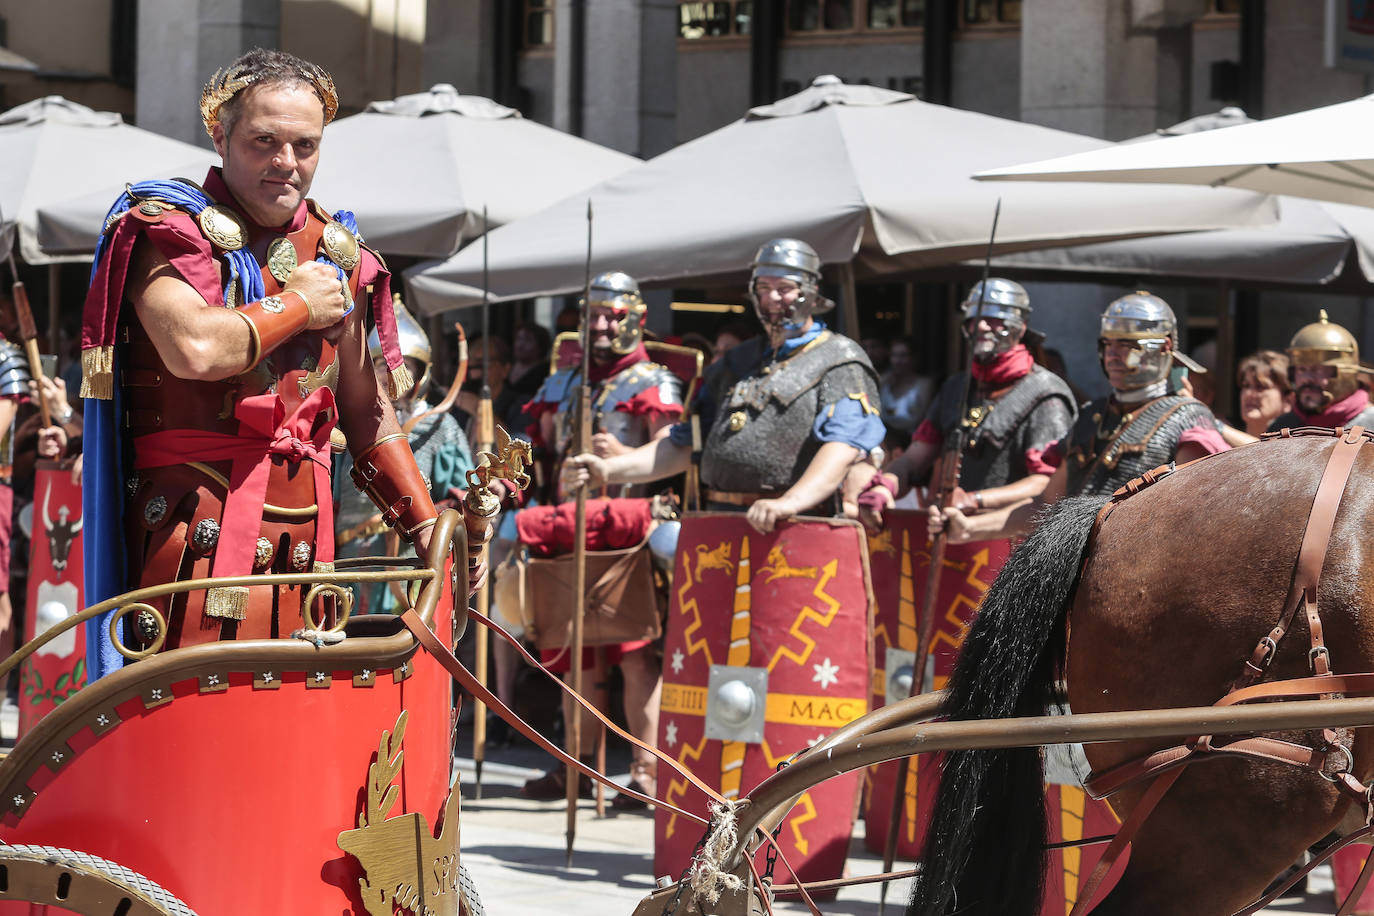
x,y
442,453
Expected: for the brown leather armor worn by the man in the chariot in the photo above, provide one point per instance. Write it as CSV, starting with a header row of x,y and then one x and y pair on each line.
x,y
174,514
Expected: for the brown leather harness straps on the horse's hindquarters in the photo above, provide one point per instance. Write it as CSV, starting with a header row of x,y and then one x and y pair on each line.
x,y
1332,760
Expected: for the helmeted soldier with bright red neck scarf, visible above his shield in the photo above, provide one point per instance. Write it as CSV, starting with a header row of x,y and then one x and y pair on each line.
x,y
1016,410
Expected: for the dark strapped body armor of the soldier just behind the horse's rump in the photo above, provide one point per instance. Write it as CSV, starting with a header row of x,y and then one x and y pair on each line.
x,y
1148,436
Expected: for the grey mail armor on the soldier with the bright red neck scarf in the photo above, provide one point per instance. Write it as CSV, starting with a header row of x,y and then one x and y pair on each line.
x,y
1037,411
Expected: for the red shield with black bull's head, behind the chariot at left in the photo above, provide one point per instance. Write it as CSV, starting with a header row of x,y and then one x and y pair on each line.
x,y
57,671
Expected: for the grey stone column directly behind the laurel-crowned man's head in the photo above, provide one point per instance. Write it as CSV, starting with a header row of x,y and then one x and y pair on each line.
x,y
179,49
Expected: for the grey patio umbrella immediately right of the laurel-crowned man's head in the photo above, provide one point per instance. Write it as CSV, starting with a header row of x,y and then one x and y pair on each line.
x,y
418,170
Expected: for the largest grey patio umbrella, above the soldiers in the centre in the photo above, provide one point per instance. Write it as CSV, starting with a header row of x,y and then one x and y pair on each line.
x,y
869,178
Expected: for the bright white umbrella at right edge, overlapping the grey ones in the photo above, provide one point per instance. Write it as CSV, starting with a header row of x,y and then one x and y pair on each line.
x,y
1325,154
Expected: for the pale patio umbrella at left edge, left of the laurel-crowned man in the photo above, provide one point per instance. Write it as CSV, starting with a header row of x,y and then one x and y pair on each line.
x,y
56,150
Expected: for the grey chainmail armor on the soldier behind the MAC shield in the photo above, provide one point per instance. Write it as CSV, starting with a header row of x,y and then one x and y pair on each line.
x,y
761,437
